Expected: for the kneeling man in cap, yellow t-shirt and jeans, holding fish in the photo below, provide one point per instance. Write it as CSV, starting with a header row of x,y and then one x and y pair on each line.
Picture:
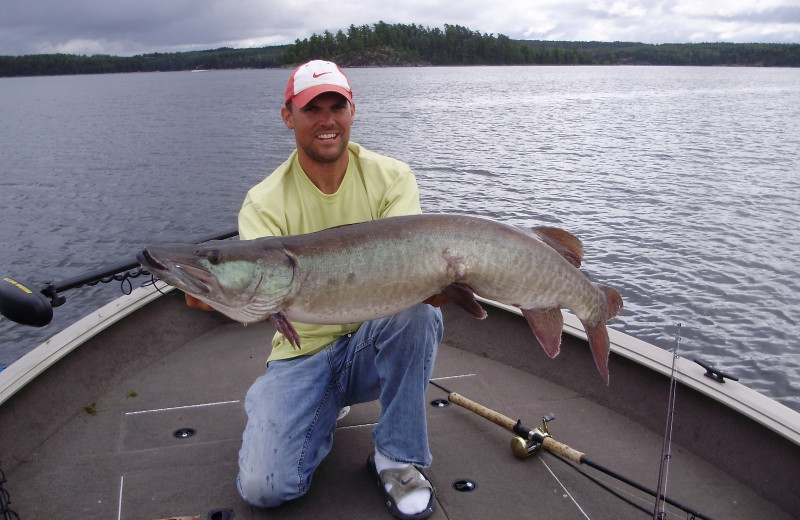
x,y
292,409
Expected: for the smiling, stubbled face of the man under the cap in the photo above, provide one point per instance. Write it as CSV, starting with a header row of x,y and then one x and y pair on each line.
x,y
322,127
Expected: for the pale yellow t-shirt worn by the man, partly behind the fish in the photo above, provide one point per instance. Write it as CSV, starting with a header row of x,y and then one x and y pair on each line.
x,y
288,203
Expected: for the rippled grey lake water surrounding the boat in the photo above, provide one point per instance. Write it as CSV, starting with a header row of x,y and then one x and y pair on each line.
x,y
683,183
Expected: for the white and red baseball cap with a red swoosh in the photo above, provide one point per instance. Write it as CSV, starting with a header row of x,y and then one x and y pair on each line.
x,y
311,79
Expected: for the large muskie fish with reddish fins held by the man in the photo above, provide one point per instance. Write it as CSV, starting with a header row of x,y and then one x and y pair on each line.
x,y
365,271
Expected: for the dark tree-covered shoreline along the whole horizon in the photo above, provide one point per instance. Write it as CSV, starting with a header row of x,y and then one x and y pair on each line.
x,y
399,45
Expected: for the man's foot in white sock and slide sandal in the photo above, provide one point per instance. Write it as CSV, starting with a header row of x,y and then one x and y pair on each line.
x,y
408,494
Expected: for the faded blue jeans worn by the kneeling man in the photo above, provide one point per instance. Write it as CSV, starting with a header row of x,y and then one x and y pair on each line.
x,y
292,408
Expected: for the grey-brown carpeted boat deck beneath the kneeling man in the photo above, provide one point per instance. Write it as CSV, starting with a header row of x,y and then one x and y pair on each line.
x,y
125,462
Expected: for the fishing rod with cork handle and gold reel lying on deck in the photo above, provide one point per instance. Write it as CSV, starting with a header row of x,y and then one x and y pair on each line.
x,y
529,442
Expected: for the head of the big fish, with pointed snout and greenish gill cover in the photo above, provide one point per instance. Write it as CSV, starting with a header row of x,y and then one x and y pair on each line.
x,y
246,280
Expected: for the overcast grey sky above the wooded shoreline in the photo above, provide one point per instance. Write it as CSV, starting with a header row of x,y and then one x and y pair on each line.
x,y
129,27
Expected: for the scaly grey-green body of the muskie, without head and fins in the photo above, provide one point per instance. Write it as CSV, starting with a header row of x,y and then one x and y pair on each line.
x,y
364,271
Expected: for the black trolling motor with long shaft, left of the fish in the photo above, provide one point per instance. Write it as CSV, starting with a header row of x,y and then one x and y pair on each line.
x,y
34,308
